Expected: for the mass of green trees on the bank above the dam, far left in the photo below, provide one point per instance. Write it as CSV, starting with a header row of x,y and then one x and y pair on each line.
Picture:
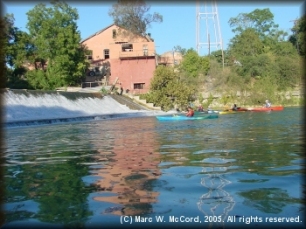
x,y
51,49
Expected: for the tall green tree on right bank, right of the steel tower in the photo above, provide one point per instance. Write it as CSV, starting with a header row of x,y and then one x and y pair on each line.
x,y
261,49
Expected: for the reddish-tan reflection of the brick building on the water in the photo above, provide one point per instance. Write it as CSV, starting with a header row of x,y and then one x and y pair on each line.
x,y
132,166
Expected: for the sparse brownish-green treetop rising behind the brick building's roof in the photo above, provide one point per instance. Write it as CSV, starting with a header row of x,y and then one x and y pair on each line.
x,y
134,15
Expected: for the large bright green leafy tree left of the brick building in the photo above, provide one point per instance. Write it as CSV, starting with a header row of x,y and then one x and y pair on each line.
x,y
56,40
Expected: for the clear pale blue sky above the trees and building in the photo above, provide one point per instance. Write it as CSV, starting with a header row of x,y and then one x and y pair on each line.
x,y
179,20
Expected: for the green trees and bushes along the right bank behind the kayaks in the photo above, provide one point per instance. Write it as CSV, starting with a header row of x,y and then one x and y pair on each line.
x,y
261,60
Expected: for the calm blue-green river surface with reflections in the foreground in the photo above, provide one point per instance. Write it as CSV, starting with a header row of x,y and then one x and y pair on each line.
x,y
236,170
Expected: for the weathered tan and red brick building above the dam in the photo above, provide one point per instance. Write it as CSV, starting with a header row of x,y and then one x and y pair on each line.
x,y
123,56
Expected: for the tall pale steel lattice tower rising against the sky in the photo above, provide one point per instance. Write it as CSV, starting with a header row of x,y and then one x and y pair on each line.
x,y
208,33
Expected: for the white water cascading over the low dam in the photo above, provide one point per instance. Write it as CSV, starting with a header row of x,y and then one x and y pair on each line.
x,y
31,107
